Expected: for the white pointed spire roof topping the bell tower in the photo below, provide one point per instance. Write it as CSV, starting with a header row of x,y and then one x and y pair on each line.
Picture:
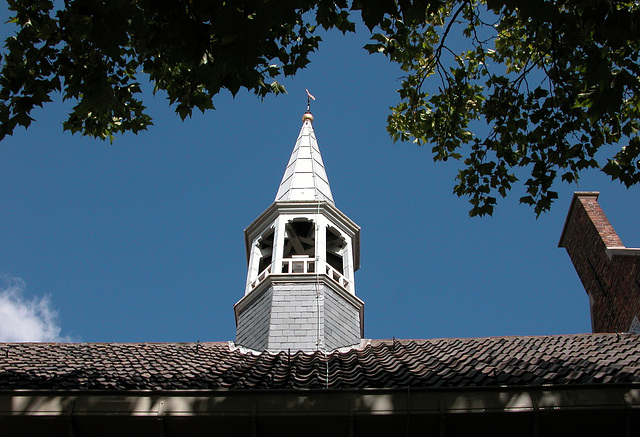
x,y
305,177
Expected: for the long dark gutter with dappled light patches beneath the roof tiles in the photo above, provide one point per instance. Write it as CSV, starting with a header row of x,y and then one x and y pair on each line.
x,y
318,402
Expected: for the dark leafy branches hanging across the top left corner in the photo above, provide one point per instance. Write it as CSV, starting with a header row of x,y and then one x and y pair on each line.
x,y
93,51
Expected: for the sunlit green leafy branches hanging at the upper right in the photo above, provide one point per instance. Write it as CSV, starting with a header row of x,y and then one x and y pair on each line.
x,y
540,86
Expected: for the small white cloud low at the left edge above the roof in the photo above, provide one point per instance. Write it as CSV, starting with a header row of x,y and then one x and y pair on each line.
x,y
23,318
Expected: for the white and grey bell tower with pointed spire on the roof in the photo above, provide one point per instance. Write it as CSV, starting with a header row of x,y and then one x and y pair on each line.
x,y
302,253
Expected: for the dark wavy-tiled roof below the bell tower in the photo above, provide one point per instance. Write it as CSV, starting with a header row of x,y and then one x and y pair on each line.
x,y
471,362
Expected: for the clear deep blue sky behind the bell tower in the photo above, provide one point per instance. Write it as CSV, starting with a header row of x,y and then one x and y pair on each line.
x,y
142,239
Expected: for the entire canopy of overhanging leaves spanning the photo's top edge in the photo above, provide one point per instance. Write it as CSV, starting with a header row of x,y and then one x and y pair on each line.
x,y
540,90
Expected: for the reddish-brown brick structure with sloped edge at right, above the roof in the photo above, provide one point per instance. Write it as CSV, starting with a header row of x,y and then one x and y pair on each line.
x,y
609,271
